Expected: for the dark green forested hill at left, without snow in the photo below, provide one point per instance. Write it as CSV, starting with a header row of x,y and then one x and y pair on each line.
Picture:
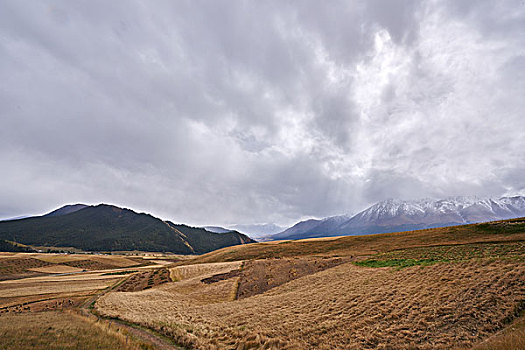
x,y
108,228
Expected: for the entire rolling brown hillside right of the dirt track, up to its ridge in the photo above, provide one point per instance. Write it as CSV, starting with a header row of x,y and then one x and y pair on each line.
x,y
433,289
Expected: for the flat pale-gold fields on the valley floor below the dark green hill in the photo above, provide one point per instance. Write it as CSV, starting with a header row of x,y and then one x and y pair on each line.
x,y
30,278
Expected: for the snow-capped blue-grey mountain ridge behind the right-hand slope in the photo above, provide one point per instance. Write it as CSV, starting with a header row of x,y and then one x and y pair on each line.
x,y
396,215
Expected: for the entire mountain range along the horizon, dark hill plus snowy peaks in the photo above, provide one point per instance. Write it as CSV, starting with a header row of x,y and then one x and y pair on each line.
x,y
109,228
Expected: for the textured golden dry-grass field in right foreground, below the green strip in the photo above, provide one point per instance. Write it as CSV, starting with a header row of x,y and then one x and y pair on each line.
x,y
350,307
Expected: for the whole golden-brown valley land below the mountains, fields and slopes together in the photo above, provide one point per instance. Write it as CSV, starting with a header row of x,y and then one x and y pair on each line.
x,y
457,287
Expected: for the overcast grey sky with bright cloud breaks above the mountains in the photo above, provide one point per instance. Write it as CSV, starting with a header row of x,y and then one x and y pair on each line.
x,y
221,112
